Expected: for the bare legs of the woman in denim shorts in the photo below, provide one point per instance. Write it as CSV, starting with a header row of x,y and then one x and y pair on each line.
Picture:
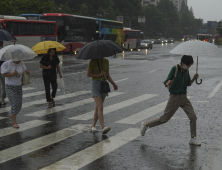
x,y
99,111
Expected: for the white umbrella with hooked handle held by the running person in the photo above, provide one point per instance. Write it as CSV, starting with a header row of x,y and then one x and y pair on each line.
x,y
196,48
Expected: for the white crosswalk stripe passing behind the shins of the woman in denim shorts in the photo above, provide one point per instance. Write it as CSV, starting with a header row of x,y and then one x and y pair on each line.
x,y
115,107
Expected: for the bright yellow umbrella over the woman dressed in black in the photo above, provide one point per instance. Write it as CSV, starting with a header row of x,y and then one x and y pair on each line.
x,y
43,47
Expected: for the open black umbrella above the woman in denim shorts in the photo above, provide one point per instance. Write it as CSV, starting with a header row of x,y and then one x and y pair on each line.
x,y
98,50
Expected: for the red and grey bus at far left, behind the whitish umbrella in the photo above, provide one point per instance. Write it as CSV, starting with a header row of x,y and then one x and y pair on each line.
x,y
28,32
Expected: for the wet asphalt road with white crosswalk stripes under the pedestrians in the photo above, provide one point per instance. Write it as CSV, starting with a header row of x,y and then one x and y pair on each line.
x,y
60,138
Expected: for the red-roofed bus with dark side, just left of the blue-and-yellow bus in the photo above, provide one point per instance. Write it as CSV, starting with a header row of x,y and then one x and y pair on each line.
x,y
73,31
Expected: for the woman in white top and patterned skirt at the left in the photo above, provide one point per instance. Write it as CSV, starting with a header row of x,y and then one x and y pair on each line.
x,y
13,71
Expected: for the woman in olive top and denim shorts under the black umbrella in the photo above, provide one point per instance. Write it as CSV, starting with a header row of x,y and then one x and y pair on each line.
x,y
94,72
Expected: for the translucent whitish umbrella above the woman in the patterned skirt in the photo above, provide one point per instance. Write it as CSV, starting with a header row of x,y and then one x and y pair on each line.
x,y
16,52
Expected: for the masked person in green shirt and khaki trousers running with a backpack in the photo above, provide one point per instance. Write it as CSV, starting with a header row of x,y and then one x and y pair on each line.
x,y
178,98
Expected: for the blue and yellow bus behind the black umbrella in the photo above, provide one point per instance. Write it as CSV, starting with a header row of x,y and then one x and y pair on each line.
x,y
110,30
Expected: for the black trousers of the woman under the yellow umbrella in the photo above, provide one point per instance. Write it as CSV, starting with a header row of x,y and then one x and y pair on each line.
x,y
47,81
